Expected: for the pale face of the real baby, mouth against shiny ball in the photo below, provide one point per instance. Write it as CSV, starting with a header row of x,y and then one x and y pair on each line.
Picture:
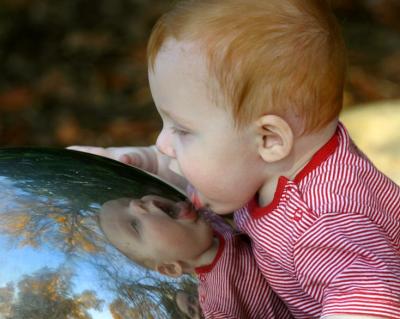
x,y
199,134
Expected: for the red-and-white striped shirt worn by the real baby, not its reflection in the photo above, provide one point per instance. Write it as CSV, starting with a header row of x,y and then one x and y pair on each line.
x,y
329,242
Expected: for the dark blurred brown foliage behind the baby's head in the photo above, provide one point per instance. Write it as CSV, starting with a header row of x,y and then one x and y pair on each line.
x,y
74,71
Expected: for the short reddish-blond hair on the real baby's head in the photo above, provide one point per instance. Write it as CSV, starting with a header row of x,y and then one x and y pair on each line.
x,y
283,57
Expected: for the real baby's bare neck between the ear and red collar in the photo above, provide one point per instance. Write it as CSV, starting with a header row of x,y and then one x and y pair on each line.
x,y
304,148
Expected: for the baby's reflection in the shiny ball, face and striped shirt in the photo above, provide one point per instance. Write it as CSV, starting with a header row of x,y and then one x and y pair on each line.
x,y
174,239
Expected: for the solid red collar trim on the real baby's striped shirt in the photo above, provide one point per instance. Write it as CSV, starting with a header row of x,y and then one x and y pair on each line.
x,y
320,156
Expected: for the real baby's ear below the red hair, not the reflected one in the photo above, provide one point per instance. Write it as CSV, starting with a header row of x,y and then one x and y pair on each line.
x,y
275,138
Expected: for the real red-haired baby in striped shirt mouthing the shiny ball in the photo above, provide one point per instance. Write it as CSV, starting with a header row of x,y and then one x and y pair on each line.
x,y
249,92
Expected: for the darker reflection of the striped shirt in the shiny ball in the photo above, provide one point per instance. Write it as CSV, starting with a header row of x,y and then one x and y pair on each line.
x,y
232,286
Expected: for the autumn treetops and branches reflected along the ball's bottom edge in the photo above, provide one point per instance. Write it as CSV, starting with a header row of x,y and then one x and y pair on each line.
x,y
49,293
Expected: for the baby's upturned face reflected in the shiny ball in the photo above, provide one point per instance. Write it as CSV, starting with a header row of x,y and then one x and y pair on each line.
x,y
155,227
